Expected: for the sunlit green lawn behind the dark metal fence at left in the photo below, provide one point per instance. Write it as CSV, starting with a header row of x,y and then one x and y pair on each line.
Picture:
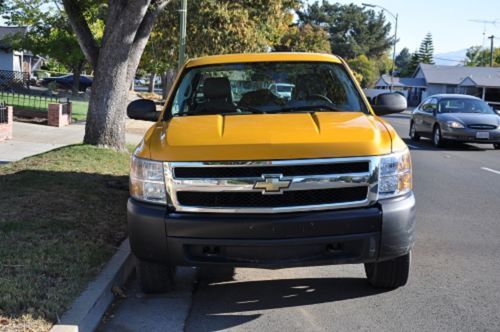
x,y
41,103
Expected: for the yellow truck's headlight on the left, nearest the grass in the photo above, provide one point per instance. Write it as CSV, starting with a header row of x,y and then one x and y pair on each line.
x,y
147,181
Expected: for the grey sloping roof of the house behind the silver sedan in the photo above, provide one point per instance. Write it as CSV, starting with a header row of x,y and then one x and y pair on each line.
x,y
456,75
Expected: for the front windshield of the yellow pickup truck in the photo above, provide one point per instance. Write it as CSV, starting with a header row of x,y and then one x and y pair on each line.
x,y
253,88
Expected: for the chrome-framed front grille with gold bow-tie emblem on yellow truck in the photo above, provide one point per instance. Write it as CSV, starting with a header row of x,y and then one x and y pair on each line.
x,y
272,186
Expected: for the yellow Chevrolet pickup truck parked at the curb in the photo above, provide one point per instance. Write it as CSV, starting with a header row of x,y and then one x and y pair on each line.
x,y
233,174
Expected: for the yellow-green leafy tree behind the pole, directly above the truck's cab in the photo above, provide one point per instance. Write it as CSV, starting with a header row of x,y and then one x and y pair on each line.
x,y
217,27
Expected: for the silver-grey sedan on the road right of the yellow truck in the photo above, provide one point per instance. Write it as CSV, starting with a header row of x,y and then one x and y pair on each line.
x,y
458,118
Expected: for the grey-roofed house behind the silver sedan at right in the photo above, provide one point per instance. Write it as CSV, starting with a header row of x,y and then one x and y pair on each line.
x,y
428,80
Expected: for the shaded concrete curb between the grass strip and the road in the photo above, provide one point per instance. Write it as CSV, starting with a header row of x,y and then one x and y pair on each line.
x,y
86,312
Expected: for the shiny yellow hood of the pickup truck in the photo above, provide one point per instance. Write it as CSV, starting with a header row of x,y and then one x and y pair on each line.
x,y
267,137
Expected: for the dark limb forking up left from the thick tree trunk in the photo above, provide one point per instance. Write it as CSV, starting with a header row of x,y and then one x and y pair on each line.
x,y
84,35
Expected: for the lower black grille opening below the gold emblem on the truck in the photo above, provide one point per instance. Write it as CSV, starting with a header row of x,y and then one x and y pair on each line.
x,y
256,199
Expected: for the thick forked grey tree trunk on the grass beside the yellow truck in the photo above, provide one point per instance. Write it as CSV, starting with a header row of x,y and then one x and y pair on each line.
x,y
128,26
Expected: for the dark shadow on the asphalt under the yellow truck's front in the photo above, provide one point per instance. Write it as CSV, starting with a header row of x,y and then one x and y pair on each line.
x,y
237,302
